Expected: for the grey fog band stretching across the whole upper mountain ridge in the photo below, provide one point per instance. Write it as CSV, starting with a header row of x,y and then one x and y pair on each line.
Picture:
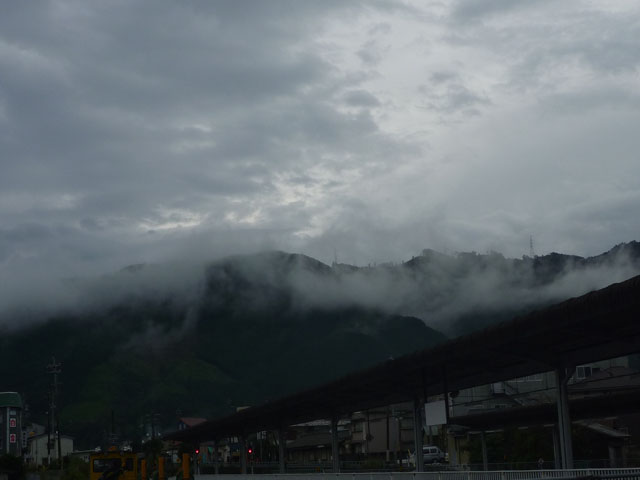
x,y
452,293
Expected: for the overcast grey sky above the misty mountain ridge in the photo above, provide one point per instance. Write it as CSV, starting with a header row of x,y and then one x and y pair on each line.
x,y
144,131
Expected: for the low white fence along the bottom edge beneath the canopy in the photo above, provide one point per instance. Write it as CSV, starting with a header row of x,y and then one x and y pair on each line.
x,y
622,473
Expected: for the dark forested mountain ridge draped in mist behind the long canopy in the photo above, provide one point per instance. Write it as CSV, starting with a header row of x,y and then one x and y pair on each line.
x,y
164,341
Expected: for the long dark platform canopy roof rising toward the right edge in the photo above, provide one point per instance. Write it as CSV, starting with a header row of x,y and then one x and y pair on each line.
x,y
600,325
